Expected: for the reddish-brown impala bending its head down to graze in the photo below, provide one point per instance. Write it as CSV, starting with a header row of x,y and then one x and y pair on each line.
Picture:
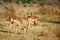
x,y
16,19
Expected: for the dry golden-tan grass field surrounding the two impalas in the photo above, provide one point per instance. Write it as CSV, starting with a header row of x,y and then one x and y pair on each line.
x,y
46,23
